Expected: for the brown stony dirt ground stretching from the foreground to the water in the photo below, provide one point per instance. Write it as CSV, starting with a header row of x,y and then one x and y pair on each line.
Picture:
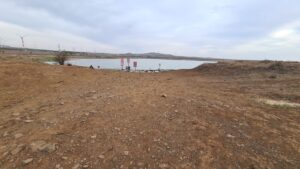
x,y
210,117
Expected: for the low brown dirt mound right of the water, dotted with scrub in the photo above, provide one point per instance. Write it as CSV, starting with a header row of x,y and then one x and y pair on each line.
x,y
247,67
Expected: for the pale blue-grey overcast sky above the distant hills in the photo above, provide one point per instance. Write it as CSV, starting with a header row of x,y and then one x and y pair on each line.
x,y
240,29
